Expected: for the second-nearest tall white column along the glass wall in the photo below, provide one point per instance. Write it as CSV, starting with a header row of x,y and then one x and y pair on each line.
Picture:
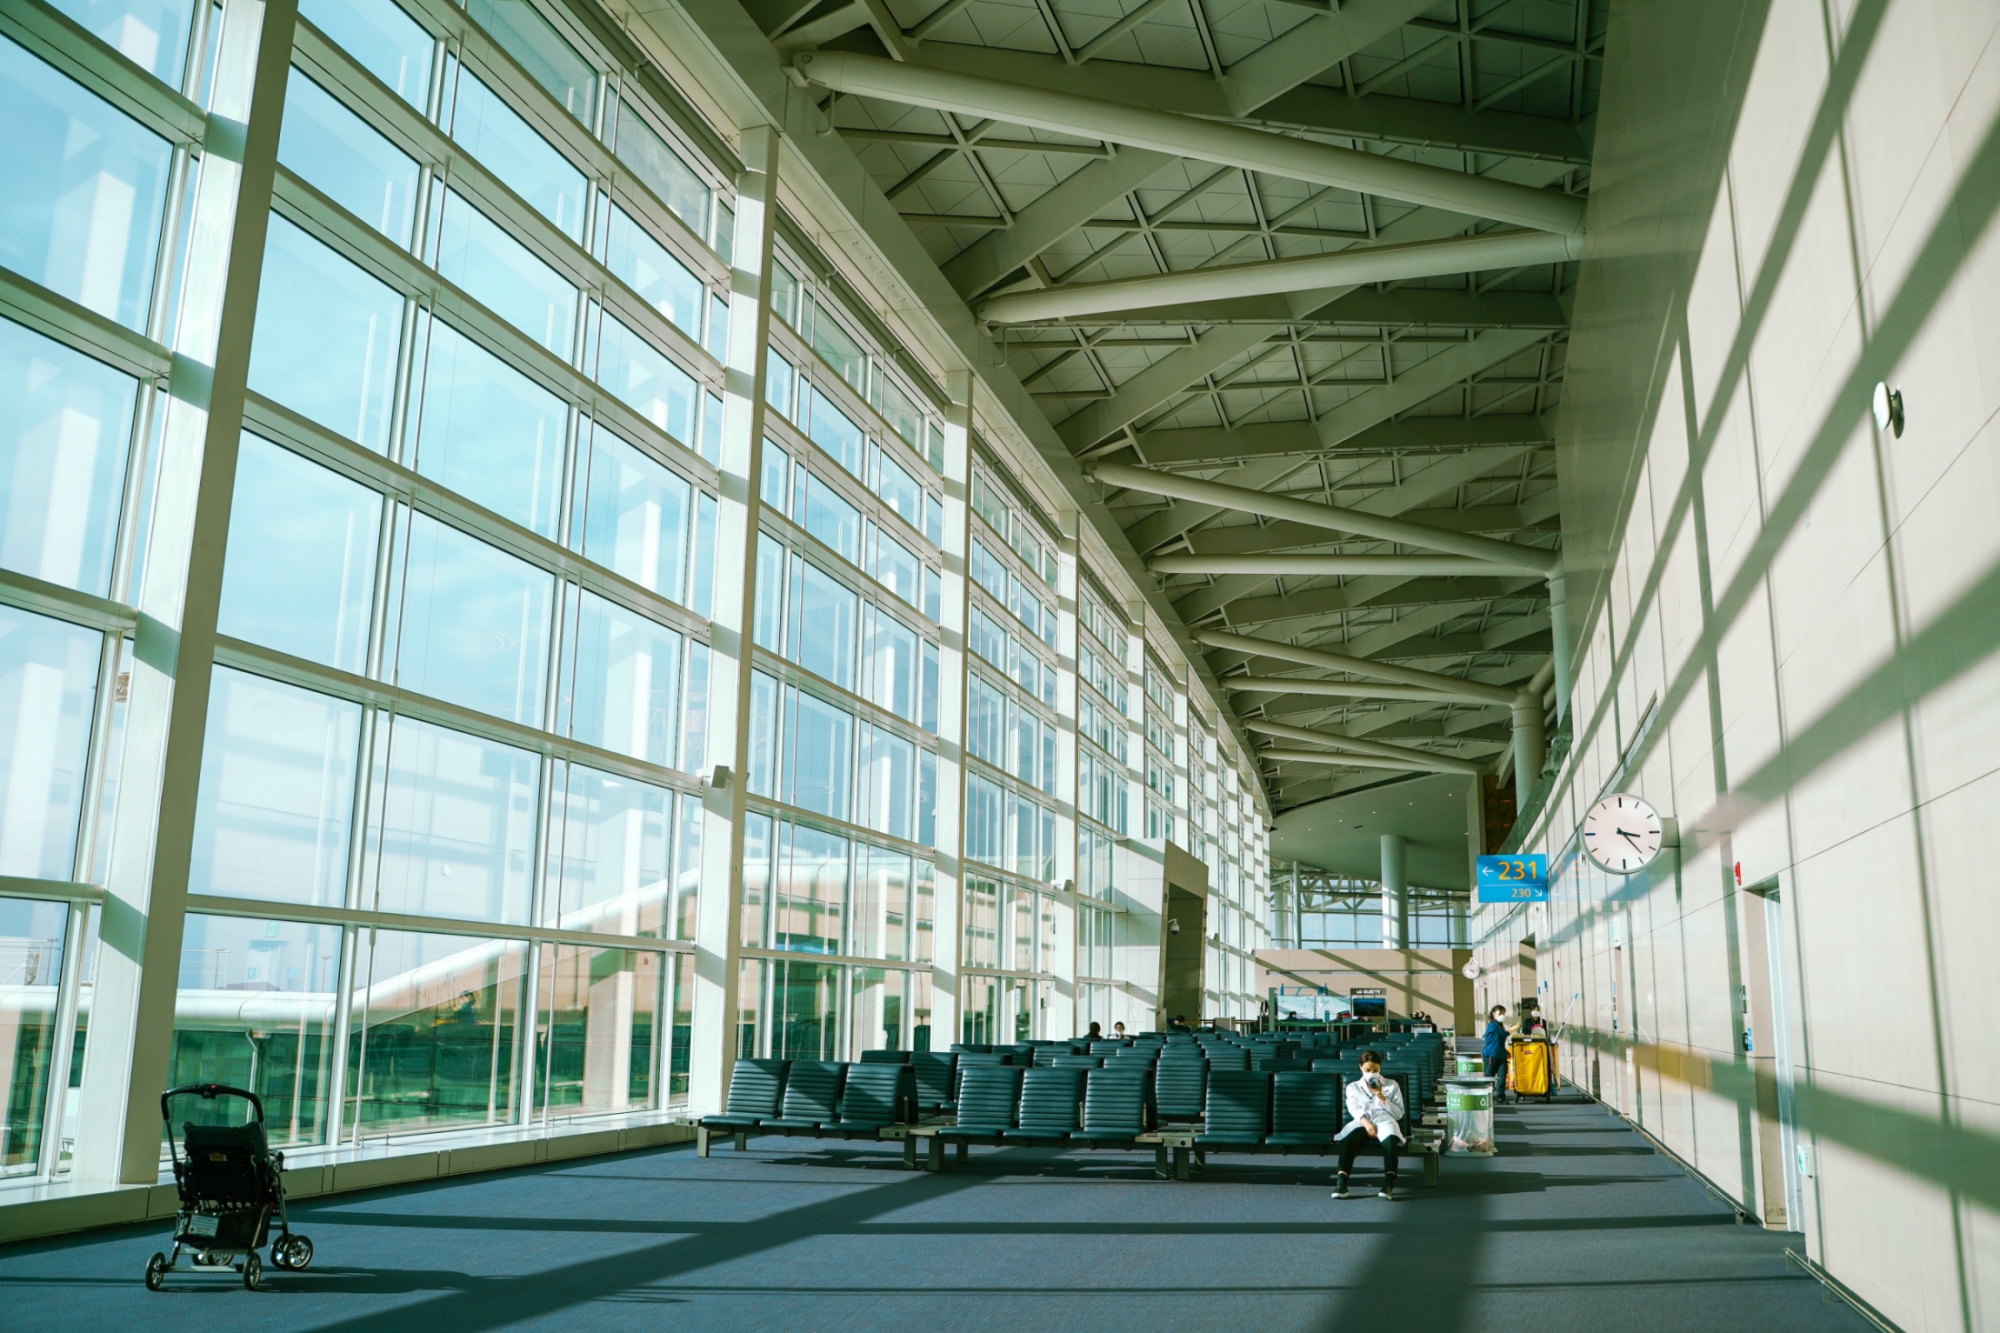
x,y
725,798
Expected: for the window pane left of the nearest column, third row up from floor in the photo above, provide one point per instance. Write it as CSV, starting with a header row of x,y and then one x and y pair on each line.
x,y
63,457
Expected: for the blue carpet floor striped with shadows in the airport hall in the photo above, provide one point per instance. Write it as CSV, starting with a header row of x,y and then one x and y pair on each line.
x,y
1577,1226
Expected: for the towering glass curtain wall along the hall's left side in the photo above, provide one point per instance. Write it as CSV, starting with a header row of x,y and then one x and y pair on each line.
x,y
463,670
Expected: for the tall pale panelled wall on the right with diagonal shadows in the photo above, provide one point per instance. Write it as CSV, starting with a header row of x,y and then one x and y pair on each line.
x,y
1791,201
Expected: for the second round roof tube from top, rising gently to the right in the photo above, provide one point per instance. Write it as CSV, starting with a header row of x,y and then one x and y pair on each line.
x,y
1355,267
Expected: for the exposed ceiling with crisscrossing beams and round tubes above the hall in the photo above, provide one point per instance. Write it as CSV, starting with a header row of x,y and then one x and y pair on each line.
x,y
1293,279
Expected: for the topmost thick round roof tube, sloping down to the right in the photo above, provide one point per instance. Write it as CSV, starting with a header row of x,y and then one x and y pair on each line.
x,y
1187,137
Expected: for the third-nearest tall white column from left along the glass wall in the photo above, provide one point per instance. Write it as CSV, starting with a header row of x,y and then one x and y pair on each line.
x,y
951,818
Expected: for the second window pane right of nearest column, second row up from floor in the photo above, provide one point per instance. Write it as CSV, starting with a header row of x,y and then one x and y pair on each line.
x,y
455,828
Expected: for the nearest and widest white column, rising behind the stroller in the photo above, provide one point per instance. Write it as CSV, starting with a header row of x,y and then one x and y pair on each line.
x,y
145,900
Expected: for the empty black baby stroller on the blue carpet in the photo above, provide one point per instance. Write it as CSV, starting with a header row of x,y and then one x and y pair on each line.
x,y
229,1188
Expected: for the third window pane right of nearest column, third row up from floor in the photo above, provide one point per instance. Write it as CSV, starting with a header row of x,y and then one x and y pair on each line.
x,y
621,684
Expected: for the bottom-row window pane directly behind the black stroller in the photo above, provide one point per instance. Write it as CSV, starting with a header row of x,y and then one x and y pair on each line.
x,y
255,1010
